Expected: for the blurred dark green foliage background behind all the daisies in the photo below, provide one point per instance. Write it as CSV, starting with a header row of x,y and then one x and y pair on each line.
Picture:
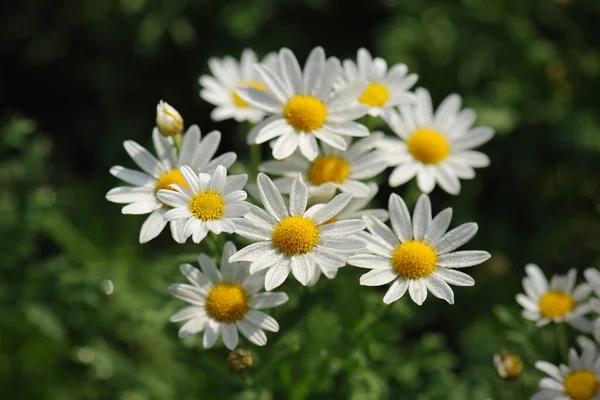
x,y
85,307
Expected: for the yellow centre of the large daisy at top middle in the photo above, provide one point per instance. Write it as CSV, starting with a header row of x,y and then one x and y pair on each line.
x,y
305,113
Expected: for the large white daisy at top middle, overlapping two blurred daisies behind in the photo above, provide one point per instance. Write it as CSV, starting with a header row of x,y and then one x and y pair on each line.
x,y
303,106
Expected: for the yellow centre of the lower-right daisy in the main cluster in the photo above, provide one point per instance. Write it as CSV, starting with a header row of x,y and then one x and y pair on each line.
x,y
414,260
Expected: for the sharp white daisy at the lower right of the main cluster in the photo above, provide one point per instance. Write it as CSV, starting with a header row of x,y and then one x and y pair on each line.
x,y
417,255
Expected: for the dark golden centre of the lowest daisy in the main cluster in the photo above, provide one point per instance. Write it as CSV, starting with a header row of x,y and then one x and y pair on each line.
x,y
227,302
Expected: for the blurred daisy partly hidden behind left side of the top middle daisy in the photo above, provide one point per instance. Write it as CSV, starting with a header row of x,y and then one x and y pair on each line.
x,y
229,75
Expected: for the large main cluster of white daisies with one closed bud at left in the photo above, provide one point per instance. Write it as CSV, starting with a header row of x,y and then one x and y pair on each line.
x,y
309,211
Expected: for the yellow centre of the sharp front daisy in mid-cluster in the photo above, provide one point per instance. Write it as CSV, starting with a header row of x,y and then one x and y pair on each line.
x,y
295,235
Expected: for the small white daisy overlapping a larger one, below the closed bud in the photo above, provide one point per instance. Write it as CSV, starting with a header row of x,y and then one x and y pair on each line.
x,y
206,202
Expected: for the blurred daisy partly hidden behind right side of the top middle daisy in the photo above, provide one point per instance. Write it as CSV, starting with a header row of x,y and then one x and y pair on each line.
x,y
384,88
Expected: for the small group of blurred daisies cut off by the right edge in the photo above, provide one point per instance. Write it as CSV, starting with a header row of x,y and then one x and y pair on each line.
x,y
560,301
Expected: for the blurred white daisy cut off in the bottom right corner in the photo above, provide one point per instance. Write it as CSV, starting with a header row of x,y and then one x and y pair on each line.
x,y
579,380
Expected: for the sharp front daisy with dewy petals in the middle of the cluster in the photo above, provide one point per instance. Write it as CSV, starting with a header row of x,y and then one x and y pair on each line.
x,y
293,238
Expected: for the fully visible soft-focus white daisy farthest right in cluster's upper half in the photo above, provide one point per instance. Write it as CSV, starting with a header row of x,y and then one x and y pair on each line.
x,y
436,147
